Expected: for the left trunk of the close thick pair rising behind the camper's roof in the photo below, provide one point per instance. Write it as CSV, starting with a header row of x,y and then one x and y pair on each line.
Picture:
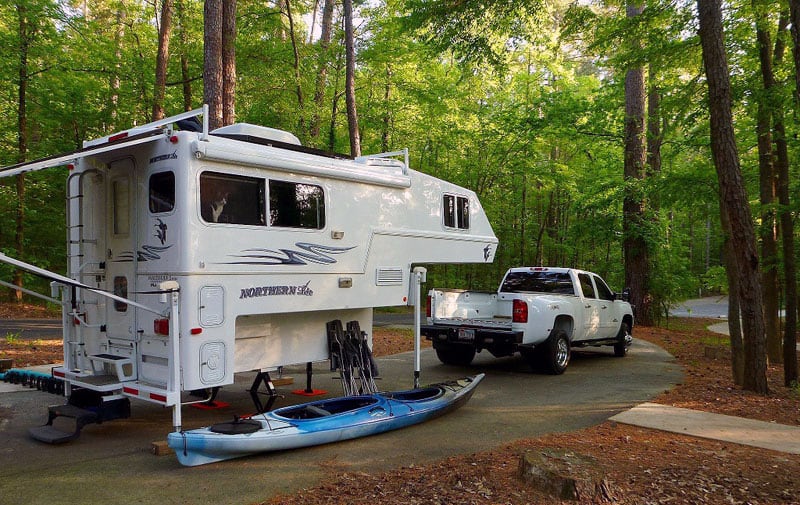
x,y
212,62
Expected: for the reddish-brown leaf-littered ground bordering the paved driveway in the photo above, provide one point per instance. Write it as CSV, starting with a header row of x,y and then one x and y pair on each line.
x,y
627,465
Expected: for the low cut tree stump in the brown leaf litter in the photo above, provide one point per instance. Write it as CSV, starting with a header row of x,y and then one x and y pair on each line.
x,y
564,475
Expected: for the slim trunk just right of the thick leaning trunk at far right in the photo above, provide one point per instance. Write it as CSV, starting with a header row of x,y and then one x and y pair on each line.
x,y
768,228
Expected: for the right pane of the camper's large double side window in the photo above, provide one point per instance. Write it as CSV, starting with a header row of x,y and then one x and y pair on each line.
x,y
296,205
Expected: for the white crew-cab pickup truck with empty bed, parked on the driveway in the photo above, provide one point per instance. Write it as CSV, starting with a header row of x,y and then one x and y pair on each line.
x,y
540,312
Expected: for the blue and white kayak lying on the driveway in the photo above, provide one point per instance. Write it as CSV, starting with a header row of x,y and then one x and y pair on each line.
x,y
320,422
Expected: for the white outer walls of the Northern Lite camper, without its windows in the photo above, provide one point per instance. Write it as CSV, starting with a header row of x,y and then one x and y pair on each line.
x,y
252,296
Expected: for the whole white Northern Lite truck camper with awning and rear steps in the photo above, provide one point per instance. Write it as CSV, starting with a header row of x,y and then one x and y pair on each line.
x,y
194,255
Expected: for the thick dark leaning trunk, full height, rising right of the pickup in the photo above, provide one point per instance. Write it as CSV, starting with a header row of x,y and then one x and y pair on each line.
x,y
733,198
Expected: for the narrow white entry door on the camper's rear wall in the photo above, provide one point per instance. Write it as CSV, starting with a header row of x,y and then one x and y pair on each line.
x,y
121,247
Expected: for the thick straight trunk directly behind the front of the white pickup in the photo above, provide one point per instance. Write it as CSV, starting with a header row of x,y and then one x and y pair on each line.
x,y
635,246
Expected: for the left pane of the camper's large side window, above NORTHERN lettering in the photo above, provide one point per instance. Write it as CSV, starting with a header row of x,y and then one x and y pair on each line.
x,y
232,199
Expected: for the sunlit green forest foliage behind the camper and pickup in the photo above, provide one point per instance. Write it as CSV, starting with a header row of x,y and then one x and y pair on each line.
x,y
520,101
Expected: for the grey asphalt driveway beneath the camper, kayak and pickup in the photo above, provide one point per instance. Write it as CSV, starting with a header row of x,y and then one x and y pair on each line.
x,y
111,463
